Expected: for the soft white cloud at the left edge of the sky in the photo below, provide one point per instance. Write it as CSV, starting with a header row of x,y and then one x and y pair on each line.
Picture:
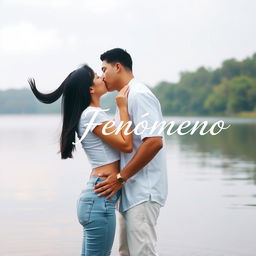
x,y
25,38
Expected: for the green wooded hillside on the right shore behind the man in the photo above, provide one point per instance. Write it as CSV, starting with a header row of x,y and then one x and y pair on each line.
x,y
227,90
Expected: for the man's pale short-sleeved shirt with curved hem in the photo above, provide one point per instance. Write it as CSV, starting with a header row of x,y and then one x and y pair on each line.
x,y
149,183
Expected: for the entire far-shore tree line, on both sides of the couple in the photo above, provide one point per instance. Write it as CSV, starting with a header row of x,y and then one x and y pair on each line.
x,y
227,90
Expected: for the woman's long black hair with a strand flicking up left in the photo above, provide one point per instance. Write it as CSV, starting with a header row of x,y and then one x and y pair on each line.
x,y
76,97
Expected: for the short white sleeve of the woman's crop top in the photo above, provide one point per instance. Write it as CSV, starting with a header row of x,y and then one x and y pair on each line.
x,y
99,118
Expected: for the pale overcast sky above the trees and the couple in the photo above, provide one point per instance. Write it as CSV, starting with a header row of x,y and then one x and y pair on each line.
x,y
47,39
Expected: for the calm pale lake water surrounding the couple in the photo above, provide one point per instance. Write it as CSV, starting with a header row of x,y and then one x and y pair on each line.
x,y
211,208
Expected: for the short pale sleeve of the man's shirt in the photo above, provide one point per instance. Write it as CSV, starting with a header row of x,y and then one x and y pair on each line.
x,y
146,108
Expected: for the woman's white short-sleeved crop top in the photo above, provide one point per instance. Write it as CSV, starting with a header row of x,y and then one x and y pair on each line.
x,y
99,153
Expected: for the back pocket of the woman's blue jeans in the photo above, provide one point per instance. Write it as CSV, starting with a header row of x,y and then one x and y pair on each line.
x,y
84,209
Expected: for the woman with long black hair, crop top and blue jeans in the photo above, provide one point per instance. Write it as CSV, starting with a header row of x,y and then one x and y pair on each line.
x,y
81,92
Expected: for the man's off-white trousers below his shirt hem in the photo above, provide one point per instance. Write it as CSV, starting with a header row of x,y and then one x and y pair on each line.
x,y
137,230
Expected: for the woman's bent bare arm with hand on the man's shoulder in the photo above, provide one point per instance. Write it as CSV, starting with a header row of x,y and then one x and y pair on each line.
x,y
120,141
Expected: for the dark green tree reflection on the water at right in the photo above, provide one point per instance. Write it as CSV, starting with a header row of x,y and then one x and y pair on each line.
x,y
233,151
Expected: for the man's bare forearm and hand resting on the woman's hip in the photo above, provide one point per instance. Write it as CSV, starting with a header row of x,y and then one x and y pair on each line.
x,y
145,153
